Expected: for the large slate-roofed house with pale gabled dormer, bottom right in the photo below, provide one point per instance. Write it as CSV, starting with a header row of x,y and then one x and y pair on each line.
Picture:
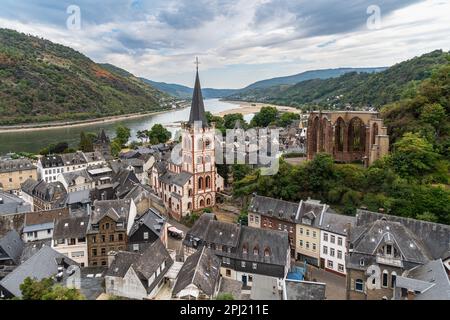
x,y
384,247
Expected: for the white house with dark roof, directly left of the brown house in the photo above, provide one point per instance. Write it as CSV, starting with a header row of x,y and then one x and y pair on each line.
x,y
69,238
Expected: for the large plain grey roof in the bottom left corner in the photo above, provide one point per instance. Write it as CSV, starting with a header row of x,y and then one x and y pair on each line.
x,y
41,265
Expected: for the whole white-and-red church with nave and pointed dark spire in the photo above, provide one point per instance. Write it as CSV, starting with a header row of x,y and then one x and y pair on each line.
x,y
191,184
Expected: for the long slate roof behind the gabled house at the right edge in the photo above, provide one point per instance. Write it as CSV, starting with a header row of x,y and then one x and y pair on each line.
x,y
434,235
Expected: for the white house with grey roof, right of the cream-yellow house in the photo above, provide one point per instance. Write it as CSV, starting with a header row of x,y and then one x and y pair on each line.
x,y
333,236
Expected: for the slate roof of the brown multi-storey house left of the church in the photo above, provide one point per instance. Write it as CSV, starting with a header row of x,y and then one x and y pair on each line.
x,y
116,209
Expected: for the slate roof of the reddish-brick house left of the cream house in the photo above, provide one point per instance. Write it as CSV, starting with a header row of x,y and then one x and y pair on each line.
x,y
276,208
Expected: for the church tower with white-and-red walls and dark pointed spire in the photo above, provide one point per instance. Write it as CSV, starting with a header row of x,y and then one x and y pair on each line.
x,y
198,153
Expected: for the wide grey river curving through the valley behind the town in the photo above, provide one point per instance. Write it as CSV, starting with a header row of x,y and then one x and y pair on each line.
x,y
33,141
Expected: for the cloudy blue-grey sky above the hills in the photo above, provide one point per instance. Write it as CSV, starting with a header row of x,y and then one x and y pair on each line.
x,y
237,41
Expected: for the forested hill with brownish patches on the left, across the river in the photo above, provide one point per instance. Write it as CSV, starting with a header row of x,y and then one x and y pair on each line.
x,y
43,81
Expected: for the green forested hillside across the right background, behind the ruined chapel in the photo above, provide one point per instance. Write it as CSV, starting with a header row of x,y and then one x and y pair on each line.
x,y
357,89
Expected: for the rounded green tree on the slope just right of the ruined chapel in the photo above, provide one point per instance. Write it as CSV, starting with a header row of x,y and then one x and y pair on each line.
x,y
413,157
